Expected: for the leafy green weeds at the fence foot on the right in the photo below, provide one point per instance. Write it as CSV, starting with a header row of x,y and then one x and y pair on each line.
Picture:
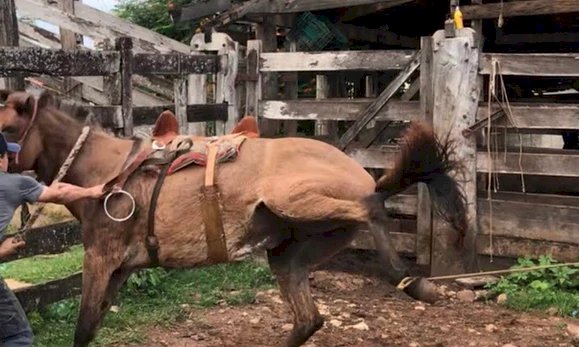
x,y
541,289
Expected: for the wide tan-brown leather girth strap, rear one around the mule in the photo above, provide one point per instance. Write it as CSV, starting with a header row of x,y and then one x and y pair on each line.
x,y
211,211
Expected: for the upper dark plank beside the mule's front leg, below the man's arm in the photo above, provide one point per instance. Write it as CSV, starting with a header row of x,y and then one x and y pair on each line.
x,y
50,239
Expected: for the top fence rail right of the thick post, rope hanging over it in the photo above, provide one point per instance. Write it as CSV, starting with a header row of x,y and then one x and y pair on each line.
x,y
533,64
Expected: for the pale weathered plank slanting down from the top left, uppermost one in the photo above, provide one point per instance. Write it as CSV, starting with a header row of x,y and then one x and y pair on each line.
x,y
91,22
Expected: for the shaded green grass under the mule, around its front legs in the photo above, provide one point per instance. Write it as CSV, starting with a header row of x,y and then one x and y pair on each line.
x,y
155,297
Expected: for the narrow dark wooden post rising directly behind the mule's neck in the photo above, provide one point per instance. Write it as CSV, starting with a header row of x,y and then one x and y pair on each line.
x,y
125,46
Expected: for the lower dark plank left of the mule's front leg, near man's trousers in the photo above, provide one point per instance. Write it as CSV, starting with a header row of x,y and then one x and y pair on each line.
x,y
41,295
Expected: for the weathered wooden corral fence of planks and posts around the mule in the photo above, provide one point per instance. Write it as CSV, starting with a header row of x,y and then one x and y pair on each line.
x,y
361,100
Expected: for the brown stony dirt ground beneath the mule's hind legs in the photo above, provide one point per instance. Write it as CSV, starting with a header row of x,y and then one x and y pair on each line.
x,y
362,310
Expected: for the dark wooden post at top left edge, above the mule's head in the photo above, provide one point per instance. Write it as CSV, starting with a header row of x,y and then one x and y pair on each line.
x,y
9,37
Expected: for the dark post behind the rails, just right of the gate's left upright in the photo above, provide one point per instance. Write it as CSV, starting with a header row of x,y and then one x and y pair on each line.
x,y
266,32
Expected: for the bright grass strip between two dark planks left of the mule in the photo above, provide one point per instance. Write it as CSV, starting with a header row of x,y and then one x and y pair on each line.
x,y
44,268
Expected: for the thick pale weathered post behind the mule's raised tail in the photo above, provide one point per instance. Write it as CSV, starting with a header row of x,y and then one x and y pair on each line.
x,y
455,81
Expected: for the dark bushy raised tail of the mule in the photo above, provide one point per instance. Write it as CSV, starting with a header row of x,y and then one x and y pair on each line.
x,y
423,158
